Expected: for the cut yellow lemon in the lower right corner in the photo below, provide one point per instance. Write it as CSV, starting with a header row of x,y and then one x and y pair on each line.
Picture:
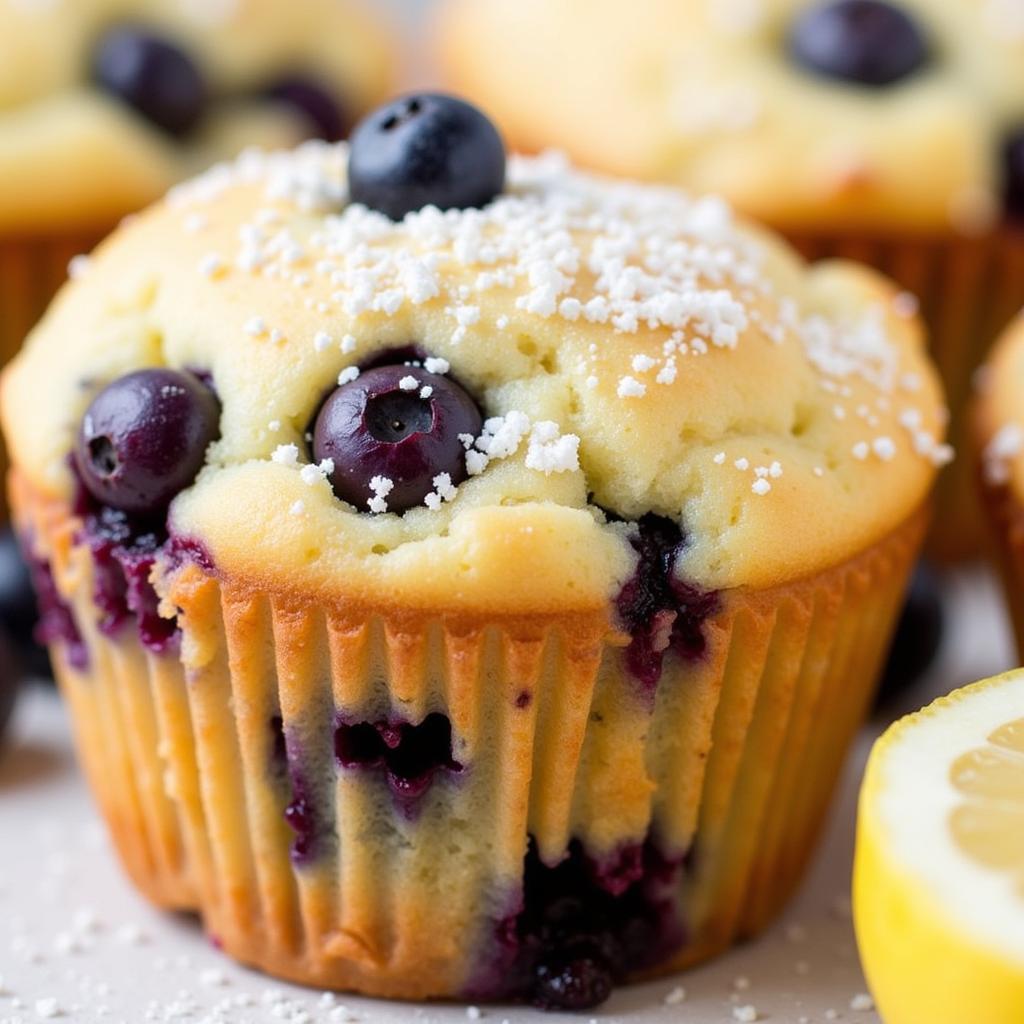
x,y
940,874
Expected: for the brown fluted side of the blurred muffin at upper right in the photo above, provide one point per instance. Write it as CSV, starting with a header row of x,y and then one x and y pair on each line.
x,y
969,290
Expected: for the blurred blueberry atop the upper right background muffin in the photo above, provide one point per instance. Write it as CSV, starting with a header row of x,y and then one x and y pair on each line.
x,y
868,42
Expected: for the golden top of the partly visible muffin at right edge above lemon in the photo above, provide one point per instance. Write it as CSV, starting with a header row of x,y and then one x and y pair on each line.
x,y
1000,419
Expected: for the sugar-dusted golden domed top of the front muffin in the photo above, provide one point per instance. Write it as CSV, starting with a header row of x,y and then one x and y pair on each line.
x,y
573,357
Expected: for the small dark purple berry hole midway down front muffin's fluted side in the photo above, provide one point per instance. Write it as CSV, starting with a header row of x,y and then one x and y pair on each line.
x,y
410,757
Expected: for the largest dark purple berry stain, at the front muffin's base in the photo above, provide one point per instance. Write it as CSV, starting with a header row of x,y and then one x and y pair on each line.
x,y
578,928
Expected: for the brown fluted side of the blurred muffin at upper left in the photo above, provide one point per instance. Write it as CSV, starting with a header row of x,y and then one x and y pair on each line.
x,y
31,273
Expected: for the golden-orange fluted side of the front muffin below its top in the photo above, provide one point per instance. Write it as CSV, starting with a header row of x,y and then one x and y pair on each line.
x,y
196,757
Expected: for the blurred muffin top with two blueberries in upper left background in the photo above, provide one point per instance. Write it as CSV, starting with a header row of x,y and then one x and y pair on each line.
x,y
106,104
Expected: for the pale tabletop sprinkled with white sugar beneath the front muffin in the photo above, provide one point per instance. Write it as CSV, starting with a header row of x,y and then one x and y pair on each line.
x,y
78,945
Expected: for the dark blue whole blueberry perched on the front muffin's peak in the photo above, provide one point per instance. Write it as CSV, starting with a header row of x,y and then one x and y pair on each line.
x,y
425,150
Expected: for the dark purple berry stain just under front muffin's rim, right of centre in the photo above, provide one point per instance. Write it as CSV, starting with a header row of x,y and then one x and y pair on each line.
x,y
661,612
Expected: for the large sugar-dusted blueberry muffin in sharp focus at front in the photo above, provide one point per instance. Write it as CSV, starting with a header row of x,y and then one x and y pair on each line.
x,y
466,575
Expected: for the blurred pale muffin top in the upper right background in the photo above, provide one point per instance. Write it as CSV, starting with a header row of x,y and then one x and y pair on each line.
x,y
838,115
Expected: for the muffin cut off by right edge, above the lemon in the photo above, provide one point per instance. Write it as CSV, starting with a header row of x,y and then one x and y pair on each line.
x,y
999,447
